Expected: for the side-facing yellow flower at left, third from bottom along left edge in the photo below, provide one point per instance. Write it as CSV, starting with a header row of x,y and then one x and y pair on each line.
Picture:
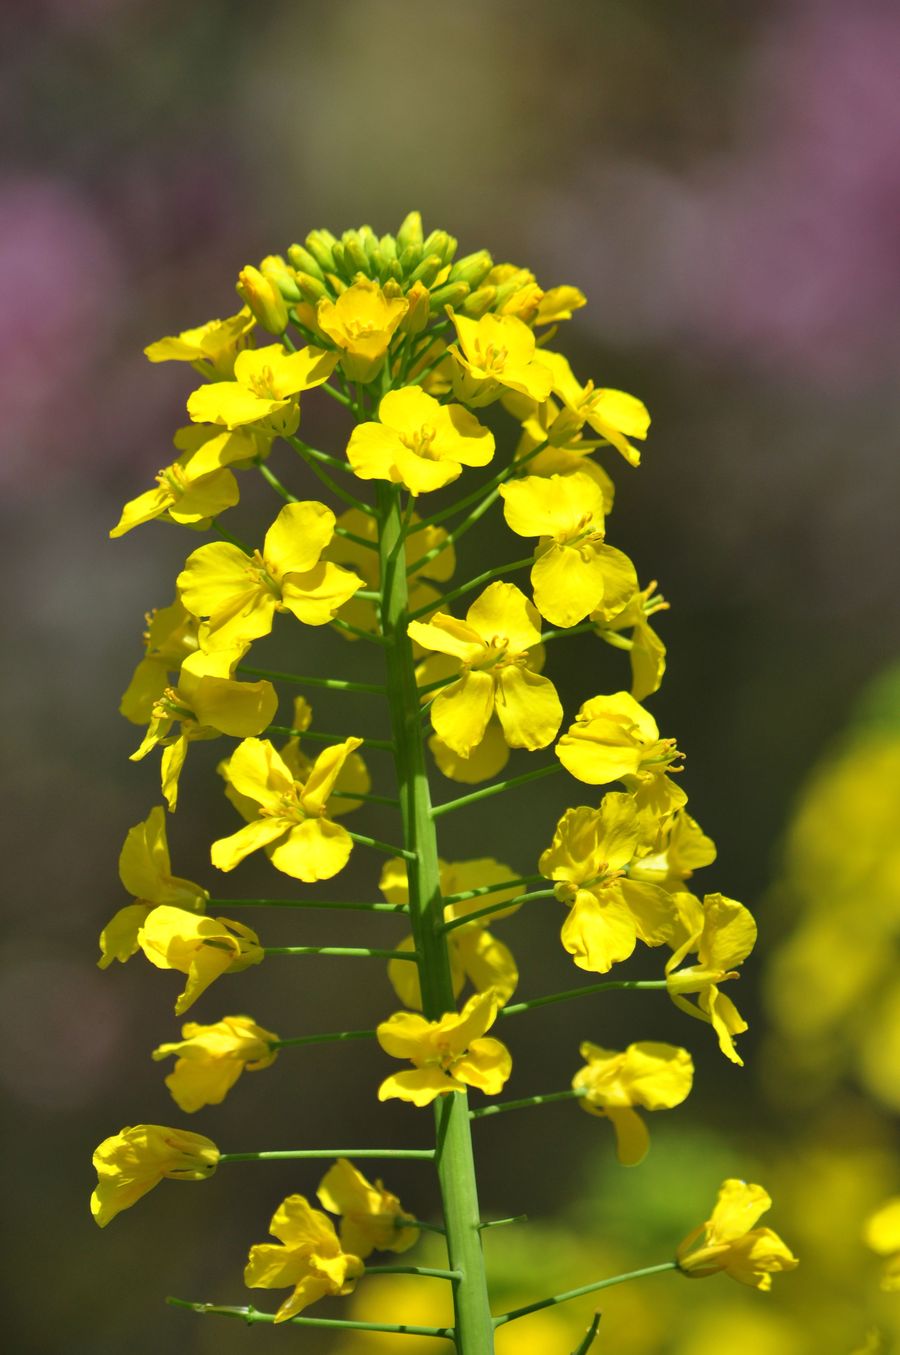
x,y
201,948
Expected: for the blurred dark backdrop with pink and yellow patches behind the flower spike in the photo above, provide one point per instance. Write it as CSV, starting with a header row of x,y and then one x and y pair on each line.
x,y
723,182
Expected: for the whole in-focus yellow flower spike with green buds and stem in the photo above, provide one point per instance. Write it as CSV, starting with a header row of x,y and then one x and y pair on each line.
x,y
414,346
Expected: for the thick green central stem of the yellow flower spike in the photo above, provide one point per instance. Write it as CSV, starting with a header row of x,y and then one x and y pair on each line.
x,y
474,1327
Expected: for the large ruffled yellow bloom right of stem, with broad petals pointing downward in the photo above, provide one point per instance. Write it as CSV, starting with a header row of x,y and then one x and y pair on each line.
x,y
609,913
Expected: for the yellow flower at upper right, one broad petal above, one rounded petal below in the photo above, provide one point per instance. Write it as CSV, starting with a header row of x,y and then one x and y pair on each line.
x,y
574,571
